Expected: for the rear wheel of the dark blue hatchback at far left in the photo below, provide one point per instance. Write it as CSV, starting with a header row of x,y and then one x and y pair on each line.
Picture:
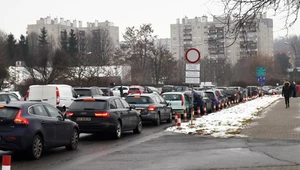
x,y
36,149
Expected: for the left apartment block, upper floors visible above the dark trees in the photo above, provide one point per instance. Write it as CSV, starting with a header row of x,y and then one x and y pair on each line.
x,y
55,28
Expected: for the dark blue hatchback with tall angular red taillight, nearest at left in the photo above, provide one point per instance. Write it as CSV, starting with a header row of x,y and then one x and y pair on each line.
x,y
34,127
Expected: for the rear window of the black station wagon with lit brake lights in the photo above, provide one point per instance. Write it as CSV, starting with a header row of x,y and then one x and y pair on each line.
x,y
89,105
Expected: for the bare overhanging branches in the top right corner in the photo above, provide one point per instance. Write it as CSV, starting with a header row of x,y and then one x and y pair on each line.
x,y
243,11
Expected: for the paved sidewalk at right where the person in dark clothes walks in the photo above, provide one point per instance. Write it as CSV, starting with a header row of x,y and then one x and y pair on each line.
x,y
277,122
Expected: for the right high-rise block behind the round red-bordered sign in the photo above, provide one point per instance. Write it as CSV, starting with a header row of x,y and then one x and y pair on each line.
x,y
211,38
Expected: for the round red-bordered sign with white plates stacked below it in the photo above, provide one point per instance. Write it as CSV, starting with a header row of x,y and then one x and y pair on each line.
x,y
192,67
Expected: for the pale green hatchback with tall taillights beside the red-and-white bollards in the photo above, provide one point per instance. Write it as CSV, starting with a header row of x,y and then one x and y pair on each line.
x,y
180,102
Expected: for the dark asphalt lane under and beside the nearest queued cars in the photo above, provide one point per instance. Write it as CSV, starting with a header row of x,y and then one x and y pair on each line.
x,y
90,147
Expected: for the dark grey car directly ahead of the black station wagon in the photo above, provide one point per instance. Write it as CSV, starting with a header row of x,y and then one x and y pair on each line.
x,y
152,107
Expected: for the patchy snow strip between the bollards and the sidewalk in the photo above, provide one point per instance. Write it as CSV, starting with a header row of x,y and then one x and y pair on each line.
x,y
227,122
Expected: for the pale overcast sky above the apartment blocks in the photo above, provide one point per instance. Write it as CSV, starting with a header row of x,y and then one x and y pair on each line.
x,y
16,14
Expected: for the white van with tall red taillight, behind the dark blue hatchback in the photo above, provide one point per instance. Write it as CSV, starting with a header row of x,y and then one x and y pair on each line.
x,y
58,95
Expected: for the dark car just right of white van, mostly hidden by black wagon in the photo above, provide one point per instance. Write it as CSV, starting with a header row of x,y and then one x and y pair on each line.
x,y
89,91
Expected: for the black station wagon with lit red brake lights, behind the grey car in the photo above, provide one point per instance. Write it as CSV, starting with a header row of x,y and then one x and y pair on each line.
x,y
105,114
